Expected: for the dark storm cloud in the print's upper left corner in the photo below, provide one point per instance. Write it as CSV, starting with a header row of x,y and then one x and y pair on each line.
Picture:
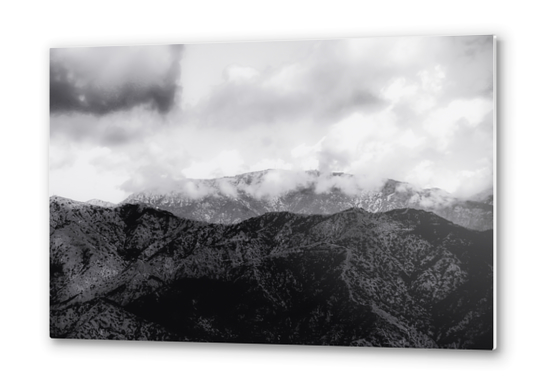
x,y
103,80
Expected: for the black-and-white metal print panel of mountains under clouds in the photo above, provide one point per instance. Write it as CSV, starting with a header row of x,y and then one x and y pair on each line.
x,y
335,192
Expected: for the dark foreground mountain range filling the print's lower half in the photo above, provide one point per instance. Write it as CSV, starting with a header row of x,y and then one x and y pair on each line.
x,y
402,278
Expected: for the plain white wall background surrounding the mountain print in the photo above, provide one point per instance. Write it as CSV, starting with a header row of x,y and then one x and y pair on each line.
x,y
29,30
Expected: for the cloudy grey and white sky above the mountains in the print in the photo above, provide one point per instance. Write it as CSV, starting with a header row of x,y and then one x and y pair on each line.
x,y
126,119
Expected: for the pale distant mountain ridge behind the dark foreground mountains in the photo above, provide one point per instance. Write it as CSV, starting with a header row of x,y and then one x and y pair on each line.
x,y
231,200
